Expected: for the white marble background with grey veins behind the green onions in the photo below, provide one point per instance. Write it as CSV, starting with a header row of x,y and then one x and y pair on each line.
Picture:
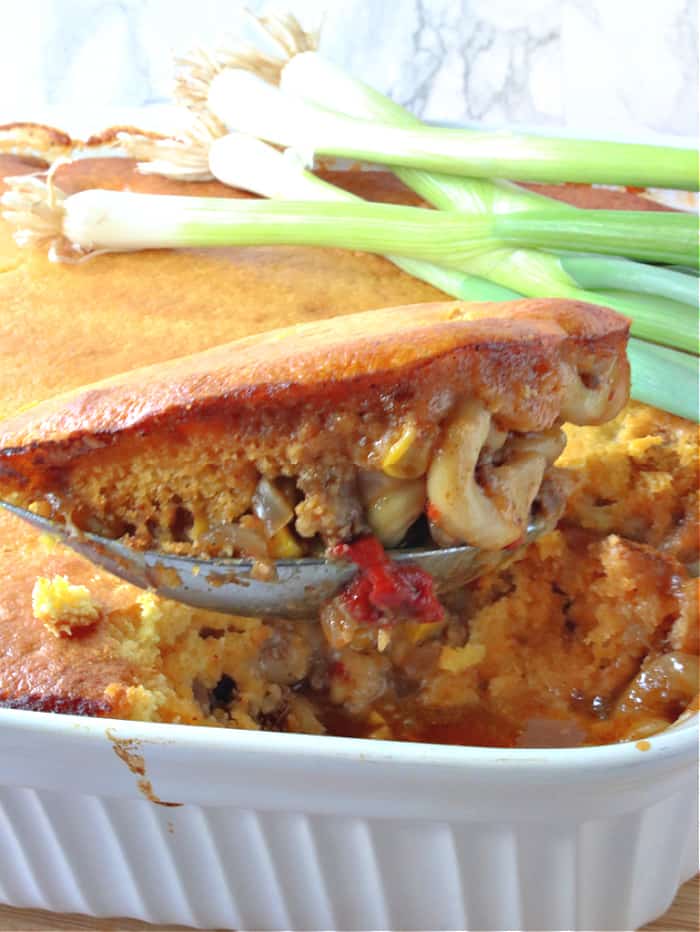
x,y
619,68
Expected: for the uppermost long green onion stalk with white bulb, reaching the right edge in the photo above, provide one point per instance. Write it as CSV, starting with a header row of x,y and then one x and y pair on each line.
x,y
248,104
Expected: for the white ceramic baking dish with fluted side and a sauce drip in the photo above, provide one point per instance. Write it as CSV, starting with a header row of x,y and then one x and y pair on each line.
x,y
298,832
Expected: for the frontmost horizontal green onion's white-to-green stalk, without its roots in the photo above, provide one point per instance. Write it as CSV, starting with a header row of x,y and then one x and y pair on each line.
x,y
124,220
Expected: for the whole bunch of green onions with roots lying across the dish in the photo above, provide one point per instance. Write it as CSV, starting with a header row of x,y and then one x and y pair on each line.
x,y
489,239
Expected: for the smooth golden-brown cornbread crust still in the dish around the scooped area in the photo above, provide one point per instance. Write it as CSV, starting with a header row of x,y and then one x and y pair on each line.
x,y
61,327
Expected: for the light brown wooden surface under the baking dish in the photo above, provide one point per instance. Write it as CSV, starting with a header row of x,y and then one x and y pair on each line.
x,y
684,916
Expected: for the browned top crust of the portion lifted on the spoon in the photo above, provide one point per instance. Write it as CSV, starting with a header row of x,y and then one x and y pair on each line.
x,y
516,356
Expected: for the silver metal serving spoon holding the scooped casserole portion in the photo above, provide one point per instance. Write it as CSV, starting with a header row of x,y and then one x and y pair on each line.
x,y
296,589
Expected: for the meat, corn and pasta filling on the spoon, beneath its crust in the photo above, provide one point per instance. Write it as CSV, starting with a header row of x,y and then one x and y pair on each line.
x,y
459,480
